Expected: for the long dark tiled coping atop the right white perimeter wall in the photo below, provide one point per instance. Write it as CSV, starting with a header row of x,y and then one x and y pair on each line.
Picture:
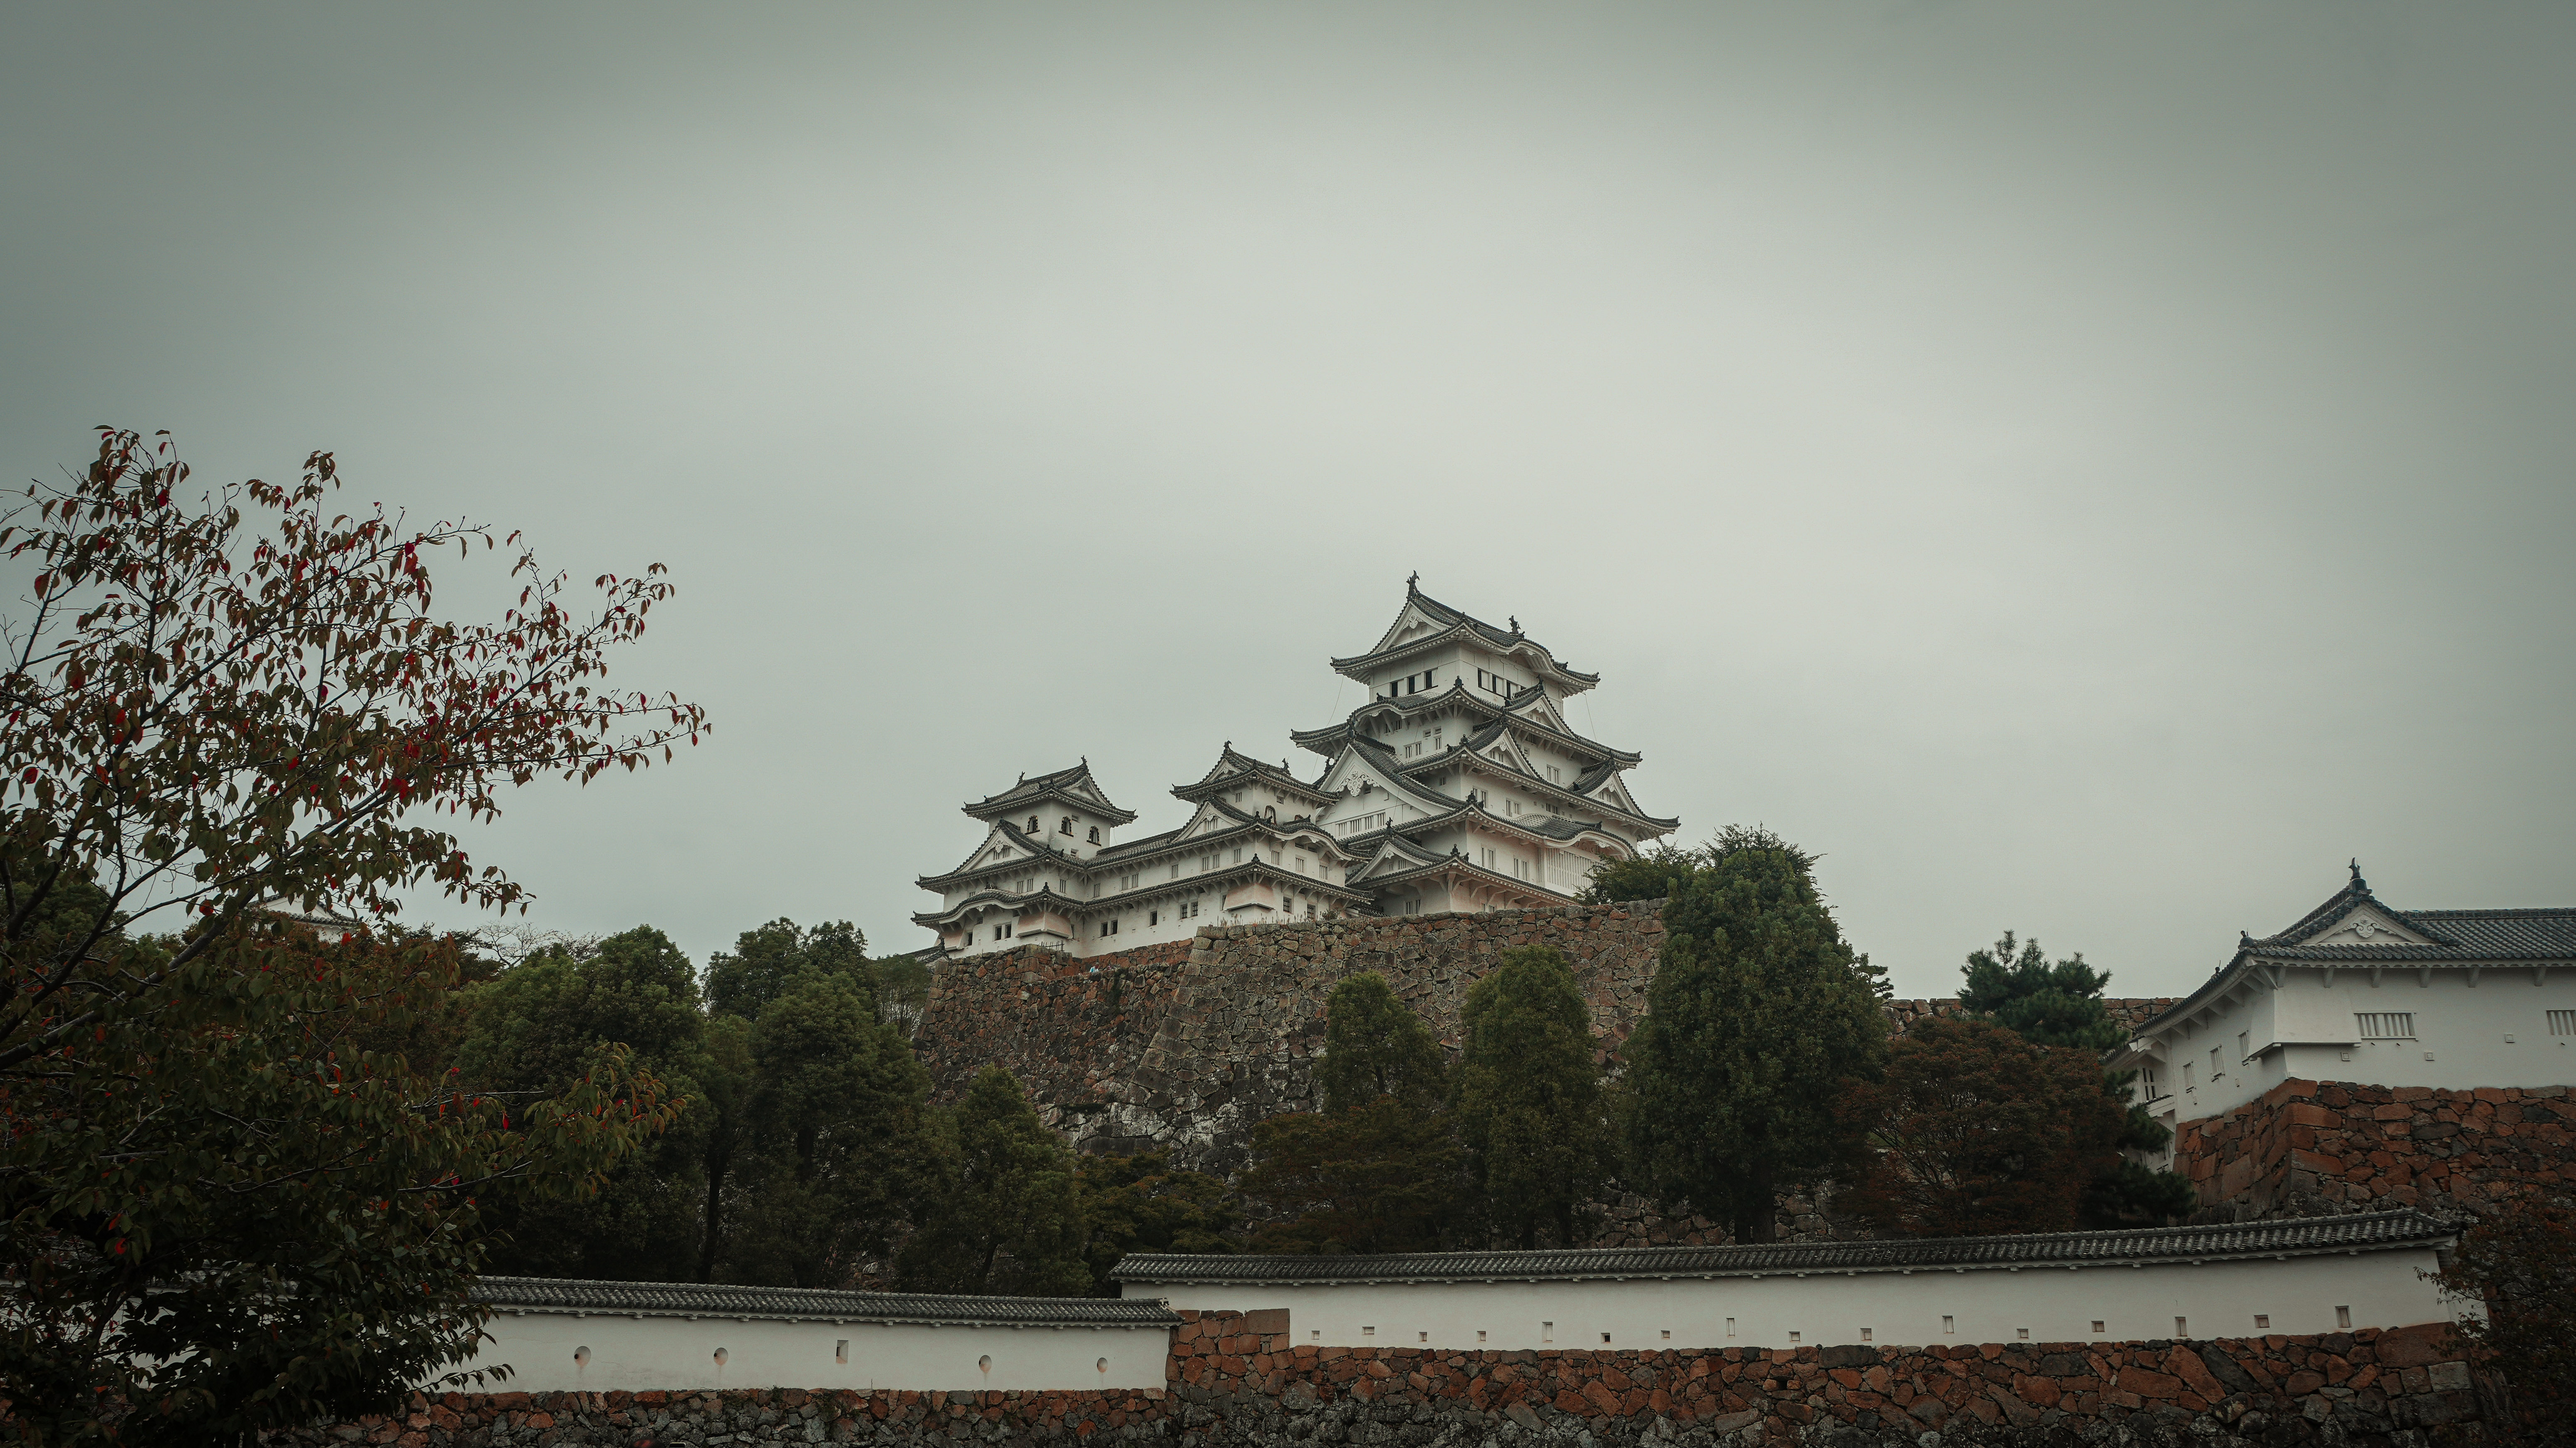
x,y
2302,1238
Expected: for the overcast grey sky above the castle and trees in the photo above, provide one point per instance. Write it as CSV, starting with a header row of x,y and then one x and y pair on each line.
x,y
2080,468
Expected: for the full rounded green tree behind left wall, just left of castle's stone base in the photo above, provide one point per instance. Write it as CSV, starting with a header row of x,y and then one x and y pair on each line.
x,y
836,1140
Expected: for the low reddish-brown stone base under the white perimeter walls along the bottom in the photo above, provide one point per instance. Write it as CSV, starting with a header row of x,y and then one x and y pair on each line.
x,y
1243,1382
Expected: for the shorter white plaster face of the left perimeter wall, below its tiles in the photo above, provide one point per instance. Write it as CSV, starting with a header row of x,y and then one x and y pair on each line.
x,y
674,1354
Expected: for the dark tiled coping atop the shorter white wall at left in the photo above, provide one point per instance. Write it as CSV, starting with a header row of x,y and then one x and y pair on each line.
x,y
810,1305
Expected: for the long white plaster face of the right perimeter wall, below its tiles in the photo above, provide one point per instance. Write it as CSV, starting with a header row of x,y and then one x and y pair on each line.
x,y
2049,1305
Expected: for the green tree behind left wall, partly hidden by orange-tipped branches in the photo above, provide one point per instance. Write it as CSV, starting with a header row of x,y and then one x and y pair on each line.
x,y
545,1027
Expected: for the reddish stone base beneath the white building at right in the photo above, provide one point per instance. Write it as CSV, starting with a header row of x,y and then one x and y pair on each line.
x,y
2325,1148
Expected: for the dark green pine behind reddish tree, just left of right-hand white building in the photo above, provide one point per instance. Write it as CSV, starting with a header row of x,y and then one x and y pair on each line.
x,y
2060,1004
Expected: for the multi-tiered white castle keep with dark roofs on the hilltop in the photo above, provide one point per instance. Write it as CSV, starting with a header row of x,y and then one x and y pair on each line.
x,y
1457,787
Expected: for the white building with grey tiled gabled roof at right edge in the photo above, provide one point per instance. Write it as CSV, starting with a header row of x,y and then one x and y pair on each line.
x,y
2376,996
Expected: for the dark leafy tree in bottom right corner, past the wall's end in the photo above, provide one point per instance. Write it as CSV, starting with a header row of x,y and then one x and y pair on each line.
x,y
2518,1261
